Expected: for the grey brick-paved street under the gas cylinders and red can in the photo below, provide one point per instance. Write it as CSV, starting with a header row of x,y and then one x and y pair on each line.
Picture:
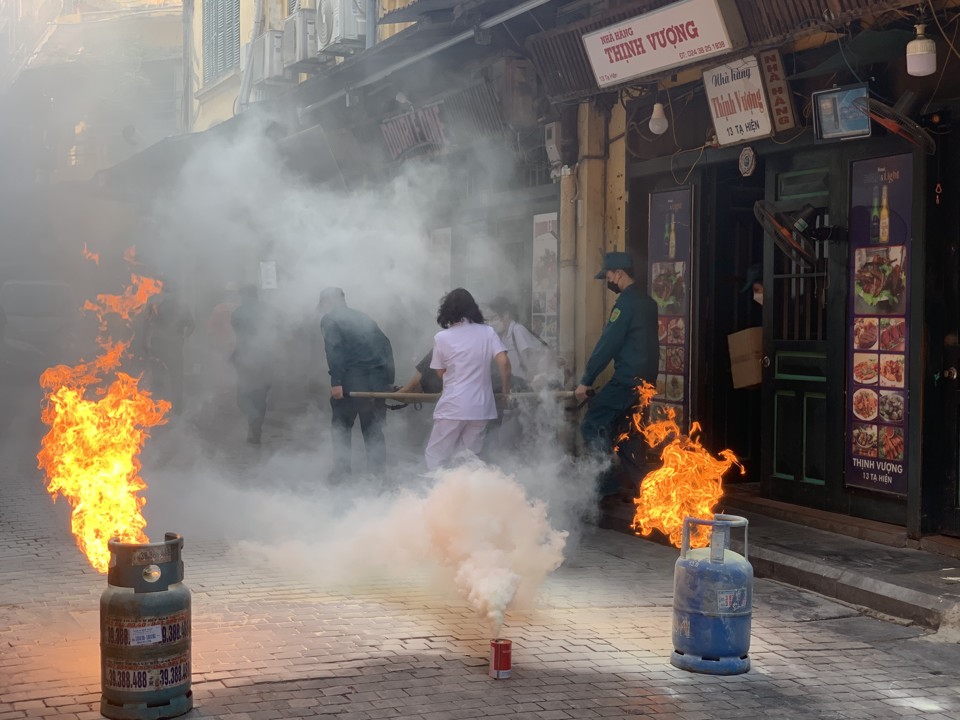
x,y
275,644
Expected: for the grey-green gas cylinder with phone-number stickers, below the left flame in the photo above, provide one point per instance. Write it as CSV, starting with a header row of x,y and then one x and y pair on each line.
x,y
145,632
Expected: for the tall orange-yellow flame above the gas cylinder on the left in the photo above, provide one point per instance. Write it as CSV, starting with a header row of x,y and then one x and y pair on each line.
x,y
90,455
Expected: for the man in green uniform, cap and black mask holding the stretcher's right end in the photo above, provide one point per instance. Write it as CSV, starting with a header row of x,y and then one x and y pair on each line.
x,y
629,339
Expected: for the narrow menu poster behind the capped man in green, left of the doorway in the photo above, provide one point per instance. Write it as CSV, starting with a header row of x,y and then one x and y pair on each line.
x,y
668,254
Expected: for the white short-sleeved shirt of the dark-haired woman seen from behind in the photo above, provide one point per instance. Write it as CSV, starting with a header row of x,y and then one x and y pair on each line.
x,y
464,352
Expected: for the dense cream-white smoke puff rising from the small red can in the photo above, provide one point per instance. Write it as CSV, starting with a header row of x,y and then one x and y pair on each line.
x,y
475,529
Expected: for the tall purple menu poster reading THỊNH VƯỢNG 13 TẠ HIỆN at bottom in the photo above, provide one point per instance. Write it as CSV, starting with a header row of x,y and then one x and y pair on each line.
x,y
877,396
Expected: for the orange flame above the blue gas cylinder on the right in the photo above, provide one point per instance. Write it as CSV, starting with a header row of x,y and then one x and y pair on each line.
x,y
687,484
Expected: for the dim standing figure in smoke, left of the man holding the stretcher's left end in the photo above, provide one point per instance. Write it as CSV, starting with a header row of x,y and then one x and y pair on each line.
x,y
251,358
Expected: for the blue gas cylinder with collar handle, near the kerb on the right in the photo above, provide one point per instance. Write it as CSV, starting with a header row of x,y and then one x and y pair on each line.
x,y
712,600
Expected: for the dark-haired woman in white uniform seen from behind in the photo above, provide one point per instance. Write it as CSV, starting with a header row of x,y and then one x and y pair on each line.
x,y
462,355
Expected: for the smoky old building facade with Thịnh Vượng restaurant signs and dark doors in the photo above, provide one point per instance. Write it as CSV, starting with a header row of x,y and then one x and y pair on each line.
x,y
729,146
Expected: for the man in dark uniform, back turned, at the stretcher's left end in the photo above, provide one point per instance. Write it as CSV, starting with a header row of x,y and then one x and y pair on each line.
x,y
360,359
